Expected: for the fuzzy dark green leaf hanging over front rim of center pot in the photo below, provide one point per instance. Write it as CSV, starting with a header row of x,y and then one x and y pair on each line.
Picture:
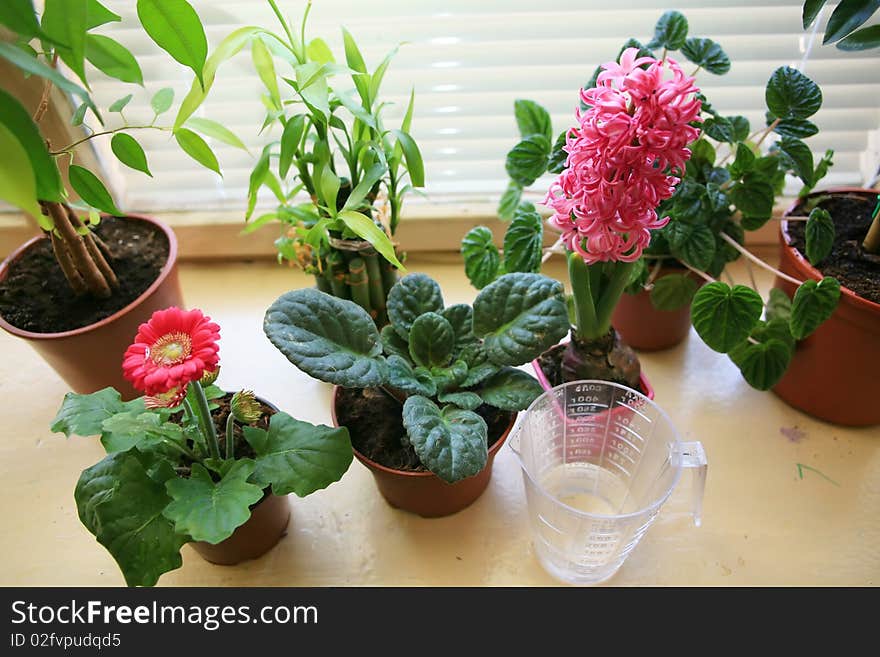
x,y
451,443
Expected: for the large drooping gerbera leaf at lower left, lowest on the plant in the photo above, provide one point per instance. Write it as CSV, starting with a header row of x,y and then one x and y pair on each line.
x,y
121,504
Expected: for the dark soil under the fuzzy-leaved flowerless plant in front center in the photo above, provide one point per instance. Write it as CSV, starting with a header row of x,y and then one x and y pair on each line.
x,y
375,424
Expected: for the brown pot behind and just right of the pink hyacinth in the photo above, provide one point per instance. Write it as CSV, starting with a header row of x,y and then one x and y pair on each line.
x,y
644,327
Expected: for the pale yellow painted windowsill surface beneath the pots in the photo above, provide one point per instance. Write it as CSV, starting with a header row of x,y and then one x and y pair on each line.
x,y
763,524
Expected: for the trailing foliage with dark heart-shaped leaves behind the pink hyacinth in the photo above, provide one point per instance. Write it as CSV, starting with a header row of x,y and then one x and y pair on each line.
x,y
727,187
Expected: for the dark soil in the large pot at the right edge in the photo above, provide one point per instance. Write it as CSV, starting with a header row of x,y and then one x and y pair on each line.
x,y
848,262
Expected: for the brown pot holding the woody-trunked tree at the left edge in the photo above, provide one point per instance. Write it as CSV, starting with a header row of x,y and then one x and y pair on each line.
x,y
90,358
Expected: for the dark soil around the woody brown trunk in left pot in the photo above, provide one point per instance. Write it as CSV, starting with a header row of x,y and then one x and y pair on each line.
x,y
35,295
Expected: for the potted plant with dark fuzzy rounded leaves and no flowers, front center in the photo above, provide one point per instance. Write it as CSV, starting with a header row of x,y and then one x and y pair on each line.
x,y
431,399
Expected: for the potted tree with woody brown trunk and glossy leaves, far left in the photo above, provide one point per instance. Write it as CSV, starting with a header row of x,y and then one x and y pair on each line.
x,y
78,292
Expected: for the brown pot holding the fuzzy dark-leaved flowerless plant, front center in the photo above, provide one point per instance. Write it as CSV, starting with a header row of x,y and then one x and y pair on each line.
x,y
424,493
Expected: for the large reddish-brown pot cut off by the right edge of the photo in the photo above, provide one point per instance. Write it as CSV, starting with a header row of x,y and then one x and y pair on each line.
x,y
833,374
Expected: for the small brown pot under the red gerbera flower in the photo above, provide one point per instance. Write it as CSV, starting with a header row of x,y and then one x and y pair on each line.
x,y
259,534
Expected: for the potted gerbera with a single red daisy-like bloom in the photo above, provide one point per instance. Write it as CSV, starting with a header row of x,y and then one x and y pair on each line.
x,y
188,462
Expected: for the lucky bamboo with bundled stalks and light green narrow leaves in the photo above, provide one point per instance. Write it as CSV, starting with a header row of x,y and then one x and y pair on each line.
x,y
333,147
